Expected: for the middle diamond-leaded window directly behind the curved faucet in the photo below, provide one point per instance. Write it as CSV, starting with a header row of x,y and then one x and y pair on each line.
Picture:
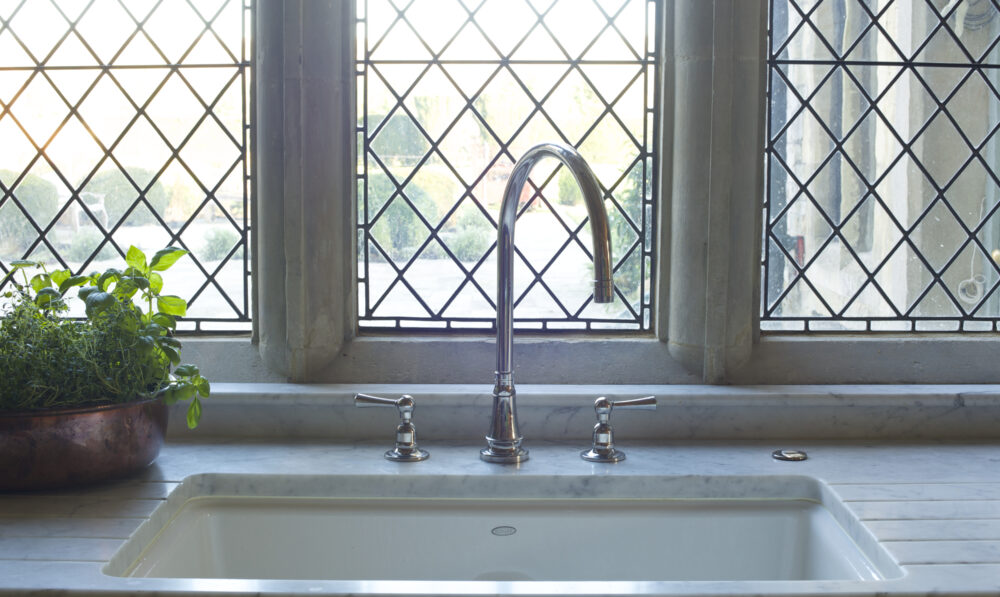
x,y
453,93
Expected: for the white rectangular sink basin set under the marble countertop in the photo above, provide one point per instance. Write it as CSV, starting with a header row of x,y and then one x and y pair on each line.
x,y
599,529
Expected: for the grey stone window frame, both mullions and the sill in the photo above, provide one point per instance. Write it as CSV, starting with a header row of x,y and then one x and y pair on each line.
x,y
706,326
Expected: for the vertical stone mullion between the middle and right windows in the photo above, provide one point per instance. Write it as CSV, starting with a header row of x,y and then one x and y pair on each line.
x,y
717,182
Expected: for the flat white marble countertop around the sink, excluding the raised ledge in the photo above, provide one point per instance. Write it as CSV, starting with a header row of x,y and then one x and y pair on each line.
x,y
934,505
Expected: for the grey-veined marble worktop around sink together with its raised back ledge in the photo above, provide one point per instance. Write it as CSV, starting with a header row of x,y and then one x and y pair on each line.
x,y
930,496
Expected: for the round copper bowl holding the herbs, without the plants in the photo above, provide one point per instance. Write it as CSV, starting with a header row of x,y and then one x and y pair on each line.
x,y
78,446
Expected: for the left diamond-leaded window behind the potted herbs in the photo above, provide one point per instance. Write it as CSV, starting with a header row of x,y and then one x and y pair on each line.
x,y
125,123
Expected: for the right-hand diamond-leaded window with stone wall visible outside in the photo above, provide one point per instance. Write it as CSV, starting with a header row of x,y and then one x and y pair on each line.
x,y
883,195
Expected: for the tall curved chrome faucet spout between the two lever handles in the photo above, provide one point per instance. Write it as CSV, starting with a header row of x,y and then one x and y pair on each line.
x,y
504,438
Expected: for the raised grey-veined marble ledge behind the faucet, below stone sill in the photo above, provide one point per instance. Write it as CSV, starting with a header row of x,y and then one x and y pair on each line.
x,y
455,412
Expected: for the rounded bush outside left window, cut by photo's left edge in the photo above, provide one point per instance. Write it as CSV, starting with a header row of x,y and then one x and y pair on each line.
x,y
38,196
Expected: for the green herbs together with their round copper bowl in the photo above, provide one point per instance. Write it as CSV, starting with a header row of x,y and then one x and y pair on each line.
x,y
86,400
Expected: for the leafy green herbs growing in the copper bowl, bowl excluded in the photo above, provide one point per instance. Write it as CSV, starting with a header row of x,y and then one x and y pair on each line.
x,y
125,349
